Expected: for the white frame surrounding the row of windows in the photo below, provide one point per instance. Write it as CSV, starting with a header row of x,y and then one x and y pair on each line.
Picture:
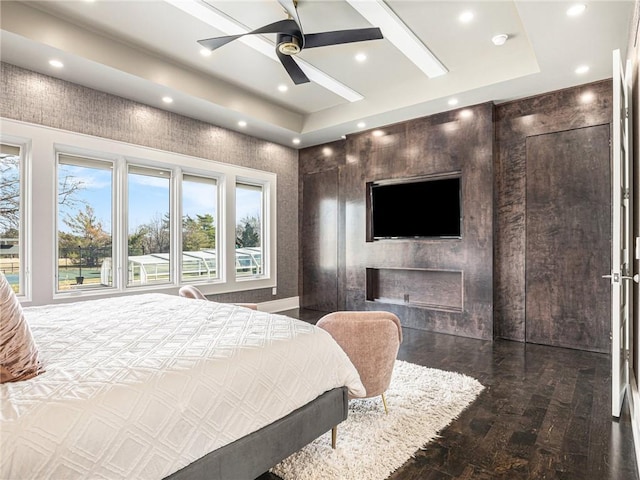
x,y
46,142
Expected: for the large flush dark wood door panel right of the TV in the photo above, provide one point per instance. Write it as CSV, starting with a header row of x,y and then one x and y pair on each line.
x,y
568,238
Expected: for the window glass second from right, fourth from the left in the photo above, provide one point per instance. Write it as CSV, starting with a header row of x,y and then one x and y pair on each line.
x,y
199,259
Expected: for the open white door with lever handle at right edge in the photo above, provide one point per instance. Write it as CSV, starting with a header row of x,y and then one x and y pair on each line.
x,y
622,237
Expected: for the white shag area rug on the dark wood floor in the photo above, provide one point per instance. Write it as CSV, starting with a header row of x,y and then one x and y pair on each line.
x,y
372,445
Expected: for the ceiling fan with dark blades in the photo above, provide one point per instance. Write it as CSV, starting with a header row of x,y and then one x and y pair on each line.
x,y
291,39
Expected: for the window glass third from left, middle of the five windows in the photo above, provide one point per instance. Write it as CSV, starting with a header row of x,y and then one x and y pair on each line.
x,y
149,226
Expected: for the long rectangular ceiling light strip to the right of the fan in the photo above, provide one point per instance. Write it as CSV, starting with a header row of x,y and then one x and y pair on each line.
x,y
400,35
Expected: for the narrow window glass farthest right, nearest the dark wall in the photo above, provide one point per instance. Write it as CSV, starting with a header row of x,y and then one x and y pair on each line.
x,y
249,230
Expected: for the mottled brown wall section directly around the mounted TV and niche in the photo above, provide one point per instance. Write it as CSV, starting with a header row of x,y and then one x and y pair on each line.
x,y
460,140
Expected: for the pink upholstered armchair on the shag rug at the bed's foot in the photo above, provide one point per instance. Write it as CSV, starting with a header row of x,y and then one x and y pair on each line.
x,y
371,341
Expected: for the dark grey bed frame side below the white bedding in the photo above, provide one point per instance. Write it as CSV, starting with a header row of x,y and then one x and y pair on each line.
x,y
251,456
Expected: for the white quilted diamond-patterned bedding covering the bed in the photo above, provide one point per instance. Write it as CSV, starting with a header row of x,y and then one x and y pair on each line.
x,y
141,386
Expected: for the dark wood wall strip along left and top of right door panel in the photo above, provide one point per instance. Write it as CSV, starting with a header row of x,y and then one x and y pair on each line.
x,y
563,110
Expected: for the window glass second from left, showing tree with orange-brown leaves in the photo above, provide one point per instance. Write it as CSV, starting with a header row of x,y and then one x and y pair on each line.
x,y
85,218
